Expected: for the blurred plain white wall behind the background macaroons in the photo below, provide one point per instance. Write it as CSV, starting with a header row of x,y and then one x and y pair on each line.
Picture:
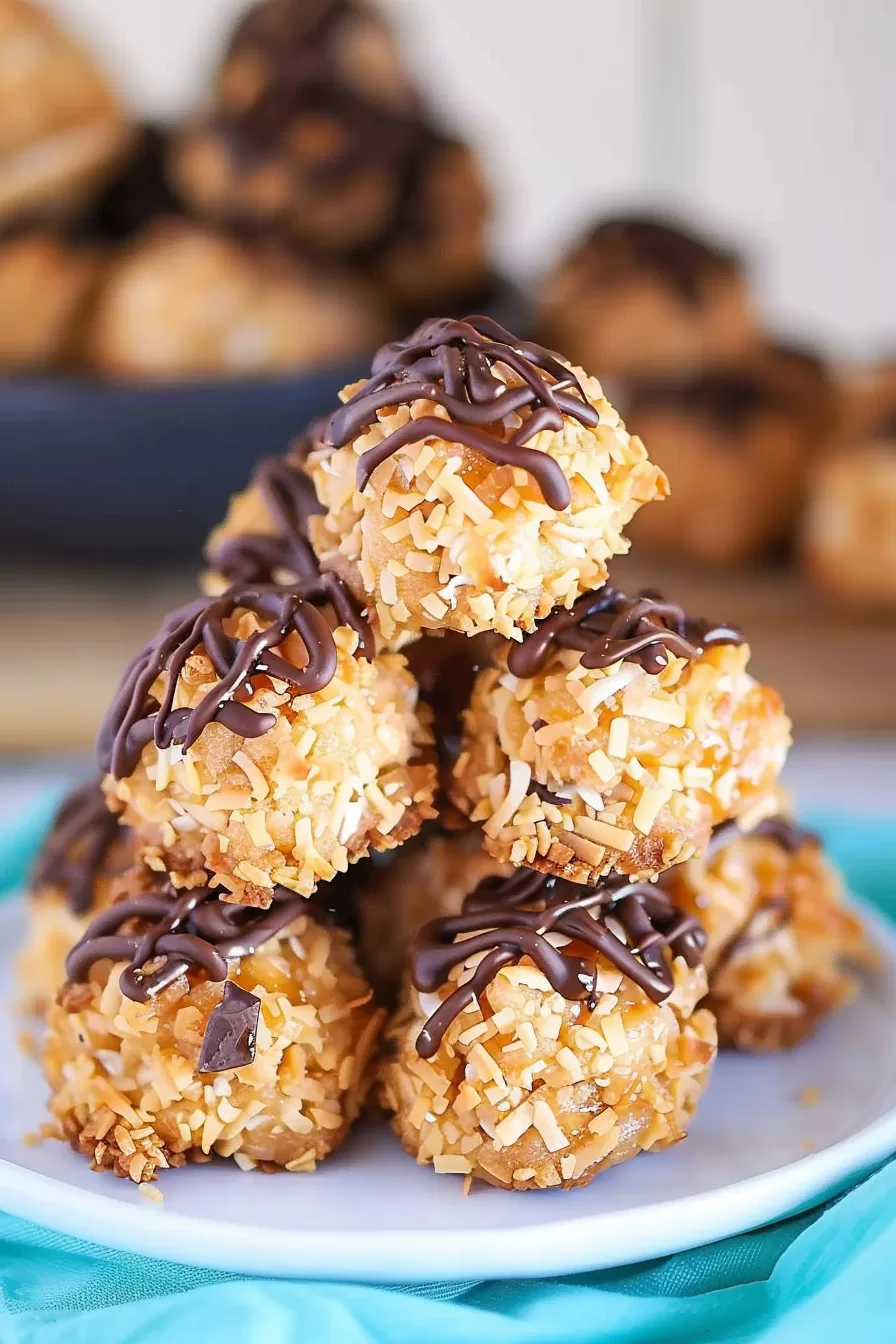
x,y
770,119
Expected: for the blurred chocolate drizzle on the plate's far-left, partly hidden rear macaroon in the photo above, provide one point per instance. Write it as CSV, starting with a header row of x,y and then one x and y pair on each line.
x,y
77,847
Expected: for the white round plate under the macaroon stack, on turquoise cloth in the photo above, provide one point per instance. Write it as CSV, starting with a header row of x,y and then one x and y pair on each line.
x,y
756,1154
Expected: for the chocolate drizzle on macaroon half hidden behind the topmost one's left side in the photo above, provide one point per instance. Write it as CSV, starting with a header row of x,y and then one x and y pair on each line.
x,y
289,498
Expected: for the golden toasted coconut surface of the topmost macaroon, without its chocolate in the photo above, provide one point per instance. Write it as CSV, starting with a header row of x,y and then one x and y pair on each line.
x,y
443,538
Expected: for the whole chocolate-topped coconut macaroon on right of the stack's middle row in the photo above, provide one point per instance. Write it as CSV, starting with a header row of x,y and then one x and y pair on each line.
x,y
615,737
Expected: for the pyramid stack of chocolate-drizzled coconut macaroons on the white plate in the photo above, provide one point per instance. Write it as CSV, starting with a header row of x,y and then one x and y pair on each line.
x,y
464,506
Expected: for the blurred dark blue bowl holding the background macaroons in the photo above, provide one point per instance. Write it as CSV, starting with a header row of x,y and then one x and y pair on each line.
x,y
135,474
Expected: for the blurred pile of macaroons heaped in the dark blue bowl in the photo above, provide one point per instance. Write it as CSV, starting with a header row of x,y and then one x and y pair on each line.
x,y
308,212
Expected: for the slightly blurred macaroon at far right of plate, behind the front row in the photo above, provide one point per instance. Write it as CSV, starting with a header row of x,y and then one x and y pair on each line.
x,y
781,941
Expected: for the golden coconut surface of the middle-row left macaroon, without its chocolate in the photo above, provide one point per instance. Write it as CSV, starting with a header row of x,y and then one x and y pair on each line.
x,y
334,779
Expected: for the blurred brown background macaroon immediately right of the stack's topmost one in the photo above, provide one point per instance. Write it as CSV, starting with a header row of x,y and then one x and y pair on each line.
x,y
737,446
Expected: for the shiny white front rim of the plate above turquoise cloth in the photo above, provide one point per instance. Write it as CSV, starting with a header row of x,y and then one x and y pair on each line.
x,y
431,1256
